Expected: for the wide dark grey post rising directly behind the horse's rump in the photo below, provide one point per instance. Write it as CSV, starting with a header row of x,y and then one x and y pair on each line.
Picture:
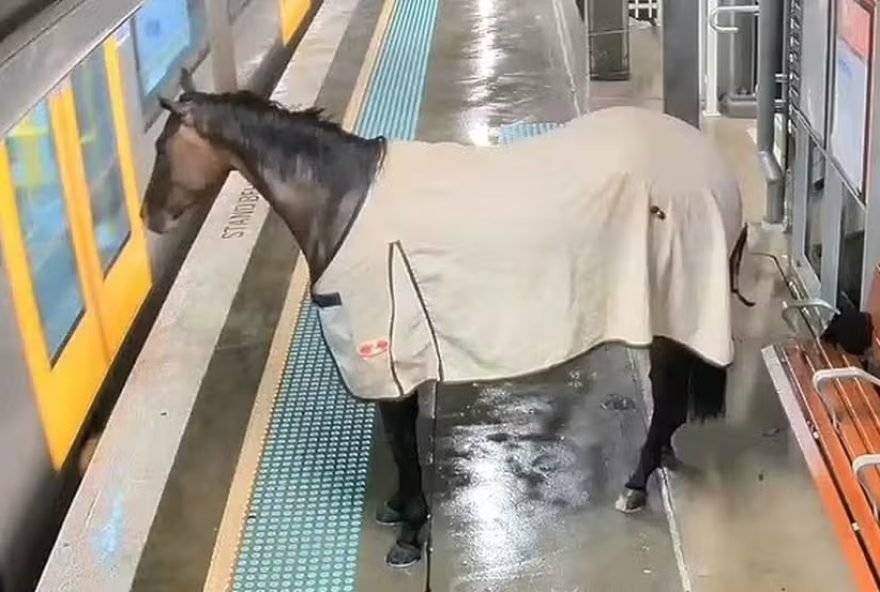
x,y
681,60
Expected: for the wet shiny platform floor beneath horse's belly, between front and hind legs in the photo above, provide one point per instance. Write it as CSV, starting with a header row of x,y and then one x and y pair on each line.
x,y
527,475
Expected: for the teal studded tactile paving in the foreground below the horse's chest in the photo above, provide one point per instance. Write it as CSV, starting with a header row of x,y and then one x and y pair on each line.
x,y
304,523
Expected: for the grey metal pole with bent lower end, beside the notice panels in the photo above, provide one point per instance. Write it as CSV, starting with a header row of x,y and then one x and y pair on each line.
x,y
769,63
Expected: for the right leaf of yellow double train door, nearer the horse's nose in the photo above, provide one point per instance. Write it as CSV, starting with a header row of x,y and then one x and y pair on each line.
x,y
105,182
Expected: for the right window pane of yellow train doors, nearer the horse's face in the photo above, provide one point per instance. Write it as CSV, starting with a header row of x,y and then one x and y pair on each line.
x,y
97,137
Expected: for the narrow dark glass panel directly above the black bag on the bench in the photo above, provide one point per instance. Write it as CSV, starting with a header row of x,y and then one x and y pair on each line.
x,y
852,248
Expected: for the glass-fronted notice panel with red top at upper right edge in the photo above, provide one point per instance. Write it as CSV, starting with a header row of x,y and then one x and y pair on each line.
x,y
852,45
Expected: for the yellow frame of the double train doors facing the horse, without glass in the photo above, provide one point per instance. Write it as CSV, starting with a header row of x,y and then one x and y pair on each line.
x,y
65,390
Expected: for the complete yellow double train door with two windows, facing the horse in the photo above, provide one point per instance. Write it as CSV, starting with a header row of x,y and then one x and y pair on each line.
x,y
72,245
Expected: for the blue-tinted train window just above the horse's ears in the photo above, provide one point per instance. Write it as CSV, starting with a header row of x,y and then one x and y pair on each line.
x,y
168,34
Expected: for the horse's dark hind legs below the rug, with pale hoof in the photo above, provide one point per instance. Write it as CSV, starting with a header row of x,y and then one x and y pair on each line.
x,y
670,372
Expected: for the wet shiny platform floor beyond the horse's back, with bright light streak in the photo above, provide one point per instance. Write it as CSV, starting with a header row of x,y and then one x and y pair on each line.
x,y
494,63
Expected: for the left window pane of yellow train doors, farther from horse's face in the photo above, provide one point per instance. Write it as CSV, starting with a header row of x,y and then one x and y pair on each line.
x,y
40,199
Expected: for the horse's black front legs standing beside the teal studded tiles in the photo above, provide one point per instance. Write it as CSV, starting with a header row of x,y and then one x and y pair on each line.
x,y
407,506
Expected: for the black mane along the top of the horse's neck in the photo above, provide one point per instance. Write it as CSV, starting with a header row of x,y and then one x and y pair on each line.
x,y
258,128
